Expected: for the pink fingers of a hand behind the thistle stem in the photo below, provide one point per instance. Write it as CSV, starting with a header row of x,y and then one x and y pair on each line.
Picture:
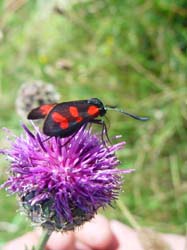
x,y
99,234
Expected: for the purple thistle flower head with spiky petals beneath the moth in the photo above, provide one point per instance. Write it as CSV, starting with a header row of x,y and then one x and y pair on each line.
x,y
60,186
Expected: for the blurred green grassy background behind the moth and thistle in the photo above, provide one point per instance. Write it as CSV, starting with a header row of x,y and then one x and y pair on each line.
x,y
130,53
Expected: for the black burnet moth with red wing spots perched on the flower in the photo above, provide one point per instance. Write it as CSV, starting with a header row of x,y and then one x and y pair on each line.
x,y
66,118
